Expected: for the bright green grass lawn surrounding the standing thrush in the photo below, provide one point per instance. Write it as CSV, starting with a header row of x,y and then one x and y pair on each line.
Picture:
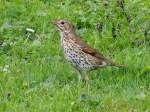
x,y
34,77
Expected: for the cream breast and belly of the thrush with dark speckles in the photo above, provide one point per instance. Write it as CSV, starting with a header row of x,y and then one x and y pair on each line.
x,y
74,54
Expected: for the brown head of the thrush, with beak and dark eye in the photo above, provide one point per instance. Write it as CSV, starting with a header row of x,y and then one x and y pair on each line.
x,y
63,25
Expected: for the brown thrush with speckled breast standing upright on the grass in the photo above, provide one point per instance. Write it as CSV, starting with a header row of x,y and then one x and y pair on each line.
x,y
77,52
